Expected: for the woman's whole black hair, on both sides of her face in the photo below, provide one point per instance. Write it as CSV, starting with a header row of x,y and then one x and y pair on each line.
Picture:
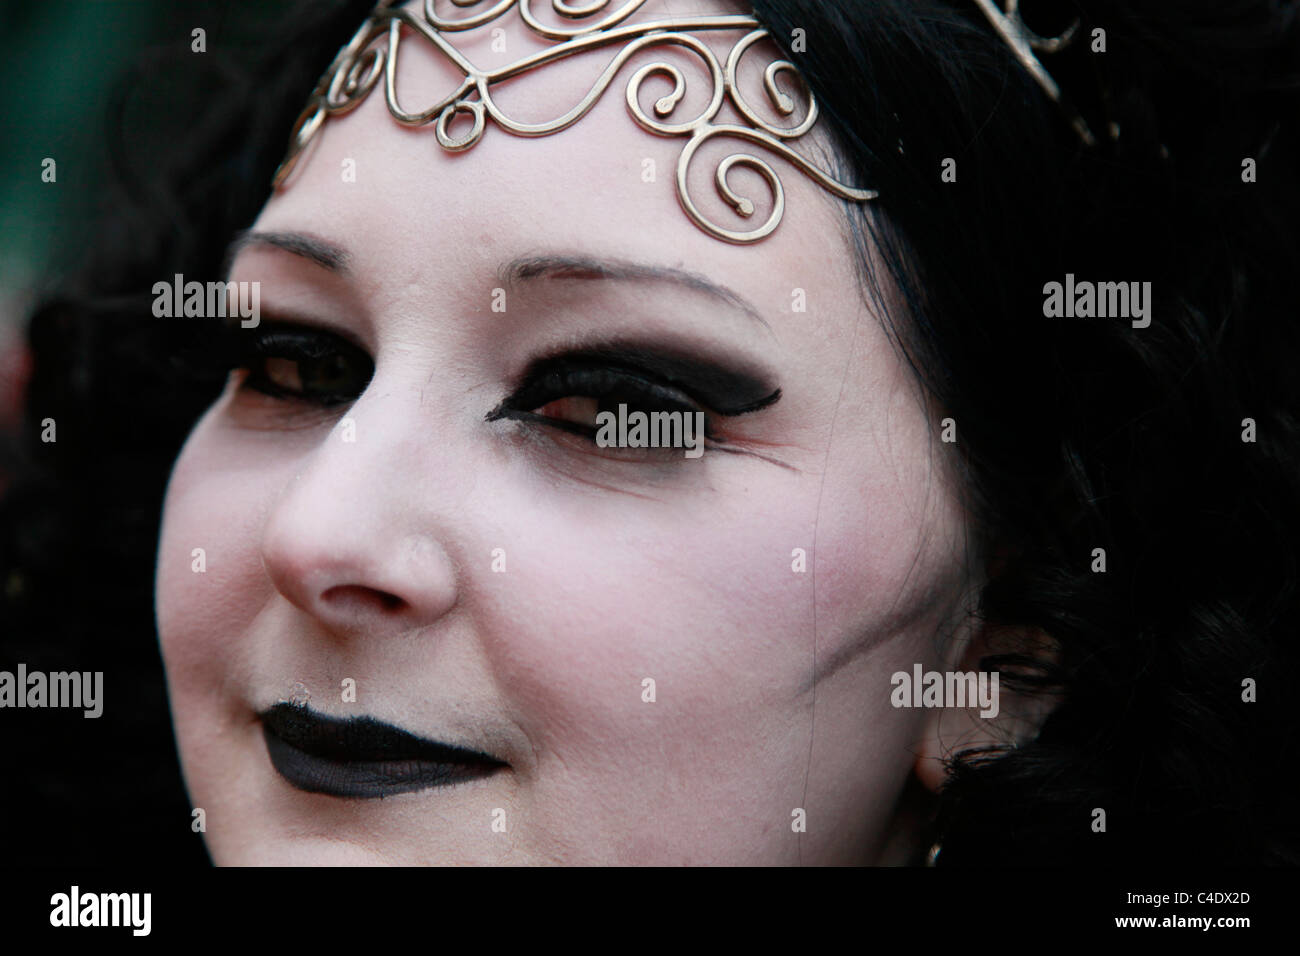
x,y
1073,435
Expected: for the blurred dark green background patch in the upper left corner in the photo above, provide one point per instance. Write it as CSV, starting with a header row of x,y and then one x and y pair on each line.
x,y
62,66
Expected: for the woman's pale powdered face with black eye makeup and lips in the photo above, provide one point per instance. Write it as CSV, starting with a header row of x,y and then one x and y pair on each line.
x,y
376,547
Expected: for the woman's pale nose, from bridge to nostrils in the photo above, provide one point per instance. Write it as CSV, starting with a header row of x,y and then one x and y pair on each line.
x,y
350,543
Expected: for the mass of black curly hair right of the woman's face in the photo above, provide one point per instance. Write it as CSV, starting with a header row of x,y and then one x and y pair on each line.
x,y
1076,435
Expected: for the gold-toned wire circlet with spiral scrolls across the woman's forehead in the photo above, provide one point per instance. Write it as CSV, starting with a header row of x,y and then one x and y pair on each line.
x,y
358,67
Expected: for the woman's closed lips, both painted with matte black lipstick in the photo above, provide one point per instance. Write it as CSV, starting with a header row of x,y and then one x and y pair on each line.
x,y
363,758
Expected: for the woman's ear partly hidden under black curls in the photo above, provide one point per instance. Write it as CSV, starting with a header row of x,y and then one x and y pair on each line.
x,y
1006,719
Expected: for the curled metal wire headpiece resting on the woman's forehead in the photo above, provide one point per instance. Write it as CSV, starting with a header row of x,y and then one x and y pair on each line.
x,y
371,60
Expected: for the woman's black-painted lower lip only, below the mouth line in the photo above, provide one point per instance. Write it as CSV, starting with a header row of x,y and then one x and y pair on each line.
x,y
366,780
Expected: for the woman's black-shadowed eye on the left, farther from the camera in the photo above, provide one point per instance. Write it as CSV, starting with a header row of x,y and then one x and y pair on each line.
x,y
304,365
